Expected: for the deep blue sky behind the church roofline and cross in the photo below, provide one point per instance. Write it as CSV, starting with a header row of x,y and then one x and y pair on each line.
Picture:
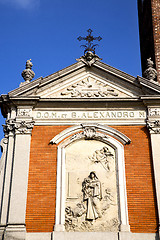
x,y
46,31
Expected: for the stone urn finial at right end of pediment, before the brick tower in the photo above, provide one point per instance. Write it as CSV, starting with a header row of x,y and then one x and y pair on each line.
x,y
150,72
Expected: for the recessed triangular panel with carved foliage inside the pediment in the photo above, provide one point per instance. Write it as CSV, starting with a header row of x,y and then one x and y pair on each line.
x,y
87,86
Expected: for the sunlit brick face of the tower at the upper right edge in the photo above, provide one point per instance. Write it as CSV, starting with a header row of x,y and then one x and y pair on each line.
x,y
156,33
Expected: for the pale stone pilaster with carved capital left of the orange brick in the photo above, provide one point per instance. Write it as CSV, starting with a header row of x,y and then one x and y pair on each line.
x,y
19,180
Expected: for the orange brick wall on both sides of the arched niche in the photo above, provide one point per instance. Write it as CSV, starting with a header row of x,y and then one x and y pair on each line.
x,y
40,214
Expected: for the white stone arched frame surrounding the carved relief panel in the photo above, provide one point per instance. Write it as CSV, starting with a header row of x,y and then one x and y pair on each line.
x,y
116,143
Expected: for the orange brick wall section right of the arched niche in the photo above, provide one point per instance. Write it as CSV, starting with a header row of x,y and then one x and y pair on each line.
x,y
139,180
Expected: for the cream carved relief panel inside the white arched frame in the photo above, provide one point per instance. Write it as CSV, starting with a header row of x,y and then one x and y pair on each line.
x,y
91,199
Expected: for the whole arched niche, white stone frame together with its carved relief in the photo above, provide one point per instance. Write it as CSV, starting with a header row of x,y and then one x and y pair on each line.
x,y
81,150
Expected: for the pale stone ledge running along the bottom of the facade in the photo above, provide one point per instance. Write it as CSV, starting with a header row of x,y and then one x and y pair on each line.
x,y
22,235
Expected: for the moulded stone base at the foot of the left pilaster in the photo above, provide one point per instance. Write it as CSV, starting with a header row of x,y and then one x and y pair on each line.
x,y
15,232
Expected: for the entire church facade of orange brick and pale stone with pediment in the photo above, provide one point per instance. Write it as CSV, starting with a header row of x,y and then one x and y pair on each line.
x,y
80,155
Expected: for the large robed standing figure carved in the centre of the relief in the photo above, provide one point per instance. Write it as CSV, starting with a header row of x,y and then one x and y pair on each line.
x,y
92,194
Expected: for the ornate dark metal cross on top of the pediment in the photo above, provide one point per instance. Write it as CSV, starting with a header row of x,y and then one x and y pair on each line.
x,y
89,47
